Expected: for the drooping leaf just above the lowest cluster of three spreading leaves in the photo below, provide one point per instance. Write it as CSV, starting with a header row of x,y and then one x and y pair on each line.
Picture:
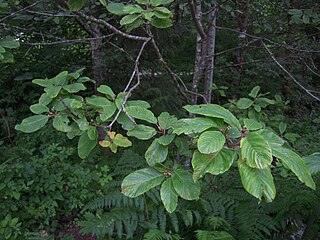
x,y
156,153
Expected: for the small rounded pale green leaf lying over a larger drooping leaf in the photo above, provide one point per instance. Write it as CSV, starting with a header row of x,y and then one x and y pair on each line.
x,y
210,142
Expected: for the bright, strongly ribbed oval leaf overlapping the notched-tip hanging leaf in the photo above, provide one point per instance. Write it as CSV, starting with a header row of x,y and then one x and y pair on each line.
x,y
256,151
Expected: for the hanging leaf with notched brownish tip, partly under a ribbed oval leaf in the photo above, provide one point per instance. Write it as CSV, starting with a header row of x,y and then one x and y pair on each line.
x,y
257,182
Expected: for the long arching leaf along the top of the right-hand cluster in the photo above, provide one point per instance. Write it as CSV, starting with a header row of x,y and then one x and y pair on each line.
x,y
213,110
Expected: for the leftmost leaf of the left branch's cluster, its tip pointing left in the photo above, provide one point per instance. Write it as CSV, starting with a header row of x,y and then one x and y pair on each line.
x,y
32,124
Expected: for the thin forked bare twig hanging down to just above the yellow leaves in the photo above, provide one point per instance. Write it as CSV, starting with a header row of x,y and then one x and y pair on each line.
x,y
134,73
